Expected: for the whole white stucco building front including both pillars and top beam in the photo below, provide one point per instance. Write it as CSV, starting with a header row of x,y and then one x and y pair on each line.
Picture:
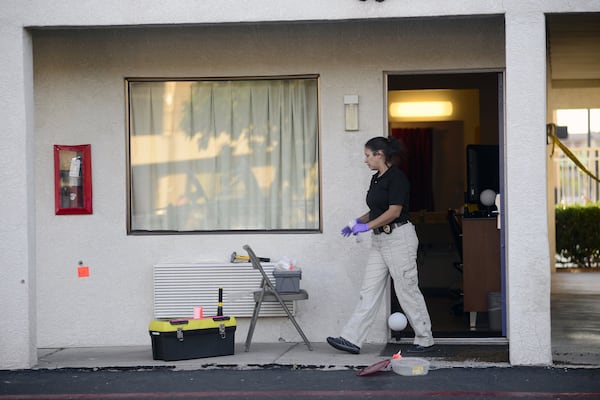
x,y
77,97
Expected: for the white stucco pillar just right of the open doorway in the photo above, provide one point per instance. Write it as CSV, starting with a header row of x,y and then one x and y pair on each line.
x,y
528,316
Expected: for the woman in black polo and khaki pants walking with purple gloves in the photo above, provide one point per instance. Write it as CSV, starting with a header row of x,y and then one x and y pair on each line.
x,y
393,252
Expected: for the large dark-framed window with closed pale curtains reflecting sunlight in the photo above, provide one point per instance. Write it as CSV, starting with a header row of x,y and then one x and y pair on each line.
x,y
223,155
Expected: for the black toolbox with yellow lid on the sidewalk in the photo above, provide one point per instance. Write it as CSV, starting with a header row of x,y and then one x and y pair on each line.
x,y
184,339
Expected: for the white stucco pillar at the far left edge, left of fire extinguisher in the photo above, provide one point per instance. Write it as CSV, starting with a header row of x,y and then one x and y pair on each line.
x,y
17,230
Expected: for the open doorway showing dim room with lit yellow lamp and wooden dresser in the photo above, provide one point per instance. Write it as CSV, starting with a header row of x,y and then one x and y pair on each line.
x,y
453,155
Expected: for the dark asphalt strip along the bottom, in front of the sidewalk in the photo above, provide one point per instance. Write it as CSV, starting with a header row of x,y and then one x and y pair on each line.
x,y
300,383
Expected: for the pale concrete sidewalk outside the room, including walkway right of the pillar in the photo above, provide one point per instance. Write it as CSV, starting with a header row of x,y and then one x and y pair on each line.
x,y
575,343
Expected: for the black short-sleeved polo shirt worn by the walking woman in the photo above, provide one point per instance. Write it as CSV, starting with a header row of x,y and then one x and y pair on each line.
x,y
392,188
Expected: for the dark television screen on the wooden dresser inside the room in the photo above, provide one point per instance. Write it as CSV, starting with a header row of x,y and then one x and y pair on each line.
x,y
482,170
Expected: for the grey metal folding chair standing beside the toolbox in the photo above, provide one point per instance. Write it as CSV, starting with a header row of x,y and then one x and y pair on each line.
x,y
268,293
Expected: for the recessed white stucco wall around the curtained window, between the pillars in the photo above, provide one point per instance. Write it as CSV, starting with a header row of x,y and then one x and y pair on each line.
x,y
79,98
